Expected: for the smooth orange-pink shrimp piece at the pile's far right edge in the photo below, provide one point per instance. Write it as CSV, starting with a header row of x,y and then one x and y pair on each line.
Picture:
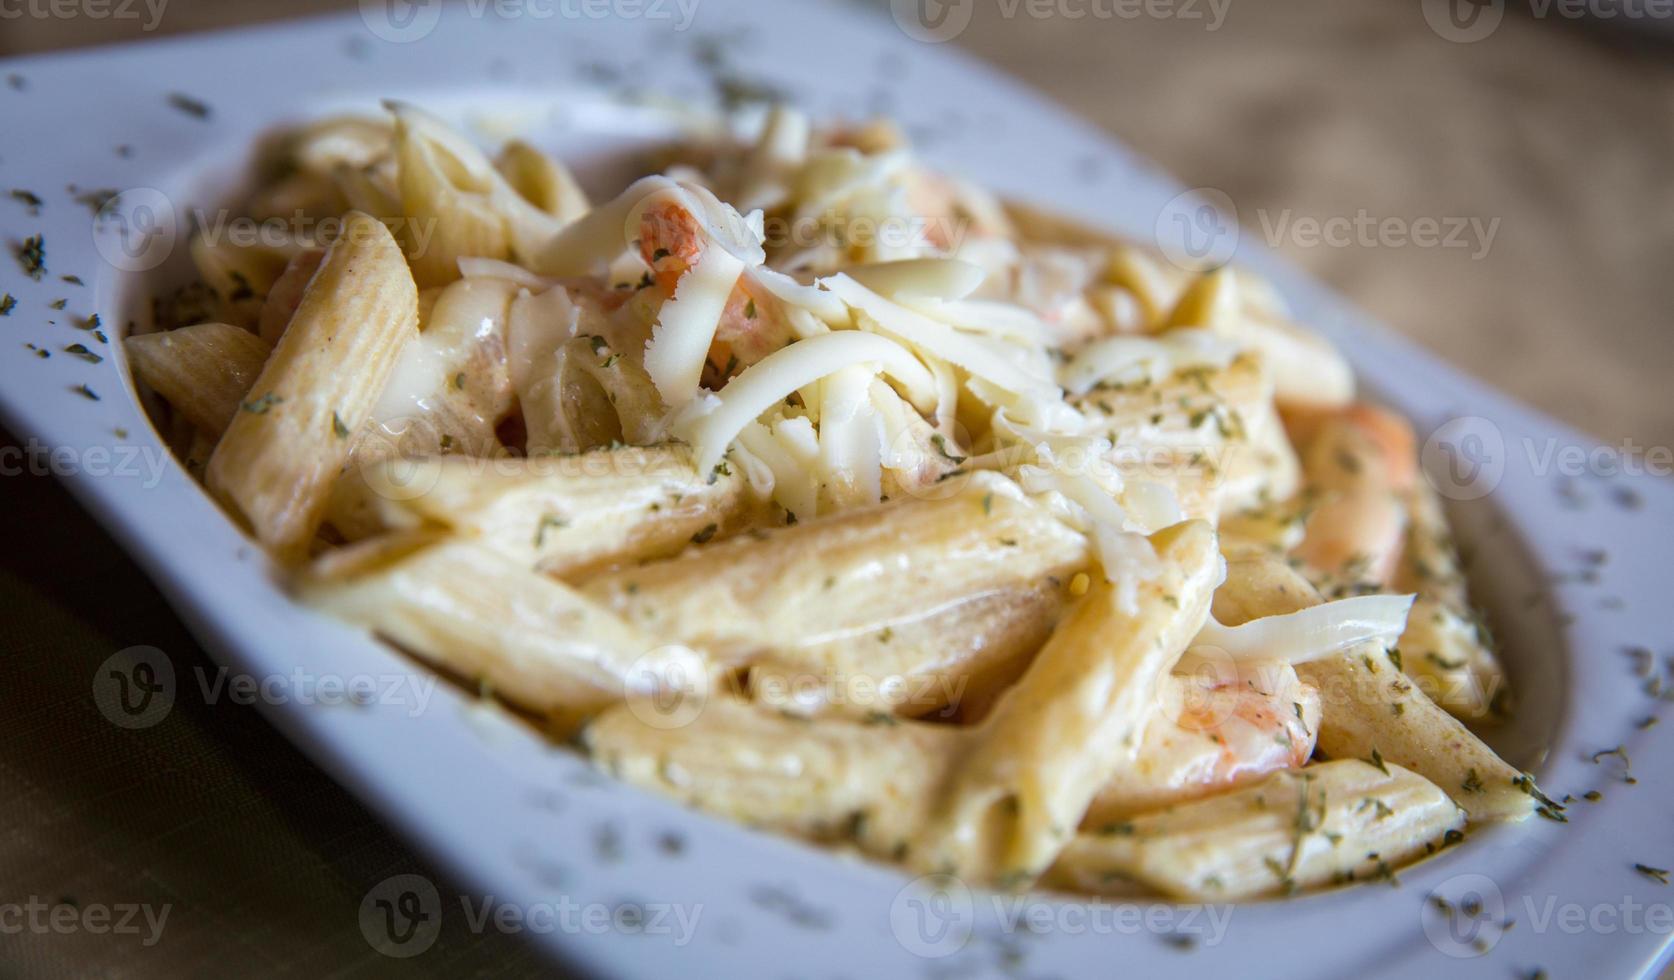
x,y
1360,465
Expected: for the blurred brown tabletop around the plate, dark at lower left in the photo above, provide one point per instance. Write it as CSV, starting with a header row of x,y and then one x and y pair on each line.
x,y
1502,188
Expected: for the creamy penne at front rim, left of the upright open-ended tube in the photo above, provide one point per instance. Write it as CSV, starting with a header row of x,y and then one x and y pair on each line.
x,y
863,780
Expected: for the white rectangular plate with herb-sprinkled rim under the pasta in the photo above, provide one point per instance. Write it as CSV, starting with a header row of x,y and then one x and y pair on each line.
x,y
530,823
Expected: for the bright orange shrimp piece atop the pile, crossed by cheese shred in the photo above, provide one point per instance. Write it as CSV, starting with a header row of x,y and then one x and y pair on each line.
x,y
754,322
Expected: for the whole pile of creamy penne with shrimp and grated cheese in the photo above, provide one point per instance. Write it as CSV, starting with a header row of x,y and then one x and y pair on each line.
x,y
833,495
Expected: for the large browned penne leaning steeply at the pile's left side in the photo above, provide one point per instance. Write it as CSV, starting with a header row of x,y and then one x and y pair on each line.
x,y
284,450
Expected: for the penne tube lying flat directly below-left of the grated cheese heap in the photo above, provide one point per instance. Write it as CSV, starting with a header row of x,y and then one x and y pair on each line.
x,y
565,515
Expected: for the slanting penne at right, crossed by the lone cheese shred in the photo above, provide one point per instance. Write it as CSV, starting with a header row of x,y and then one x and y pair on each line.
x,y
1368,706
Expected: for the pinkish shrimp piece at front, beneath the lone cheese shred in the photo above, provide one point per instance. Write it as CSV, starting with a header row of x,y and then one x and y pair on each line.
x,y
1214,735
